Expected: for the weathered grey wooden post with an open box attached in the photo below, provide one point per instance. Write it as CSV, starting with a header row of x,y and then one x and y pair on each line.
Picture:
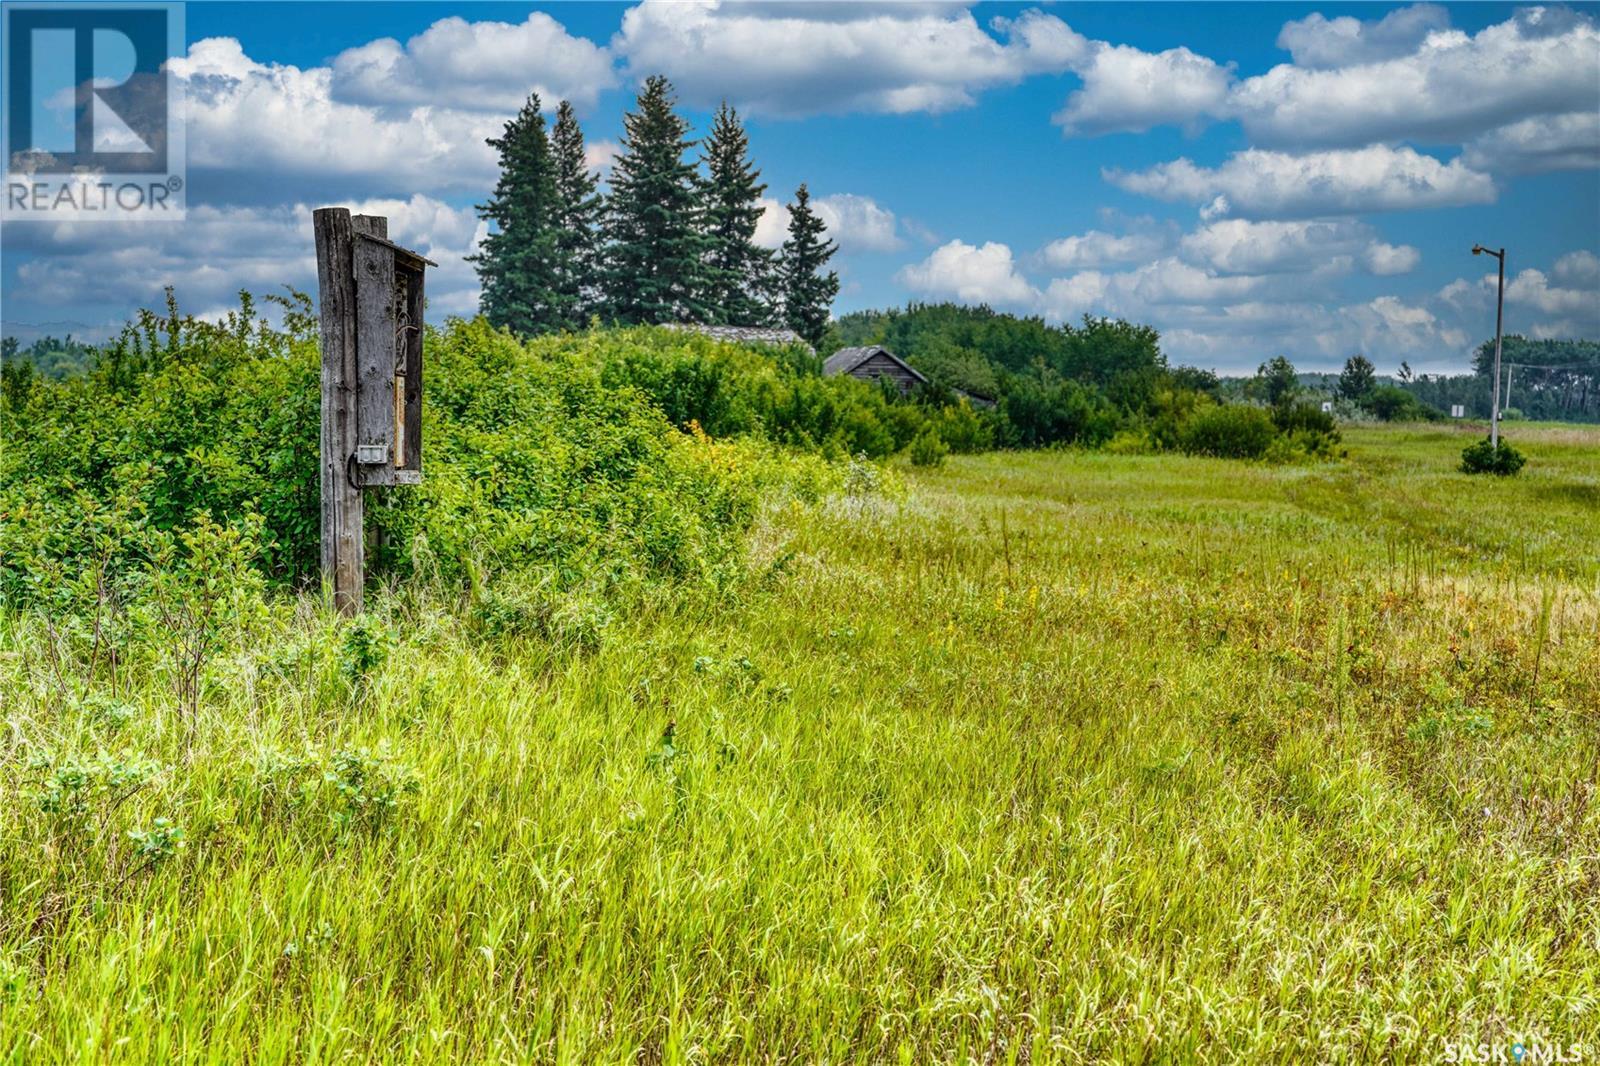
x,y
370,297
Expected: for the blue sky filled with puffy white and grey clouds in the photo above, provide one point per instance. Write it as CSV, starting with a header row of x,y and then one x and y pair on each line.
x,y
1252,180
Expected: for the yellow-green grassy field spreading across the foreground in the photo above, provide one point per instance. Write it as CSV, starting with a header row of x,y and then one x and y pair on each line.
x,y
1034,758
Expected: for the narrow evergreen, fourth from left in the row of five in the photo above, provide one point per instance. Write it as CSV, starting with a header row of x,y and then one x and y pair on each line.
x,y
738,271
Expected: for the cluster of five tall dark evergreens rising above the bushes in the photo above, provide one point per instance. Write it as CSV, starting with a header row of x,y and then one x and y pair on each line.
x,y
671,241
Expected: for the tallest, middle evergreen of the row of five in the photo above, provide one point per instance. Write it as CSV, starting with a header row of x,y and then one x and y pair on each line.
x,y
655,247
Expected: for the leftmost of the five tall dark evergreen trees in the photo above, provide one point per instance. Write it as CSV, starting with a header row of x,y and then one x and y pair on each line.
x,y
518,263
